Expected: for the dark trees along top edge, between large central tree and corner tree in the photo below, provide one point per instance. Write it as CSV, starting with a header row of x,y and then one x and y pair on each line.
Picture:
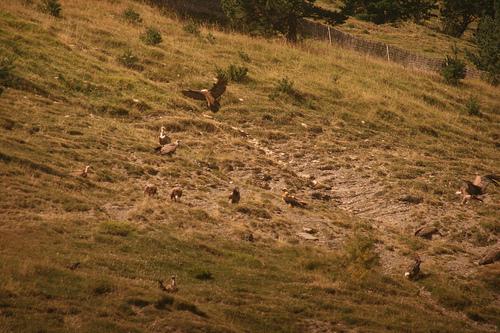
x,y
384,11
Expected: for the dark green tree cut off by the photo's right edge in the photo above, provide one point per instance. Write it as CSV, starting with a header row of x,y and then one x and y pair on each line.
x,y
487,38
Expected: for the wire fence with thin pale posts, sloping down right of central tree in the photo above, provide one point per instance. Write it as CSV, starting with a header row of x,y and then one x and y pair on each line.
x,y
376,49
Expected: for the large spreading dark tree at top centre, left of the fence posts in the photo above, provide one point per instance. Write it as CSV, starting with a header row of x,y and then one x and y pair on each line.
x,y
270,16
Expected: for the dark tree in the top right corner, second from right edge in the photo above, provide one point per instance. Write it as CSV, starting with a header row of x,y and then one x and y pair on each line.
x,y
457,15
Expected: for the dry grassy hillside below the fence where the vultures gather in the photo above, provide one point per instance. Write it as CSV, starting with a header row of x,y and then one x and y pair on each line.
x,y
350,135
